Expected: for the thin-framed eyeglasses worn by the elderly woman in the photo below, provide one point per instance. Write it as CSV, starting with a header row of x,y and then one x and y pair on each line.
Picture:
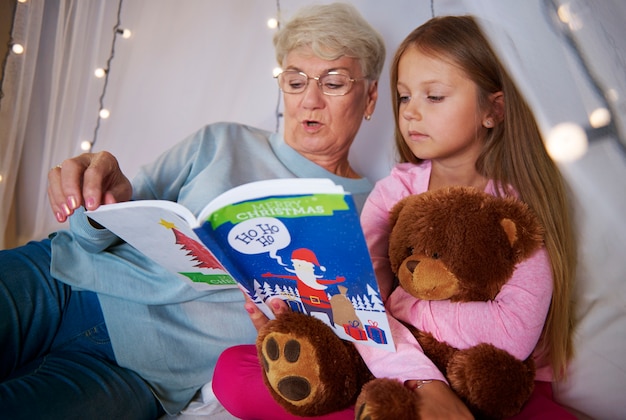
x,y
331,83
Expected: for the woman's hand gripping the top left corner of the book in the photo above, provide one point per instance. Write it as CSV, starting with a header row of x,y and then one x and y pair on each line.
x,y
90,179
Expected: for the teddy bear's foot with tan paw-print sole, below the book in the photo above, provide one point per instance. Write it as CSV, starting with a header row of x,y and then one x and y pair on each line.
x,y
307,368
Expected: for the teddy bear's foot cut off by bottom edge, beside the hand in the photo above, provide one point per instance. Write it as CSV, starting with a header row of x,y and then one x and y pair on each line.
x,y
386,399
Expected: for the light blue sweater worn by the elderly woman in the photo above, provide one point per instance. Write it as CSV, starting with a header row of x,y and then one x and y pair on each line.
x,y
160,327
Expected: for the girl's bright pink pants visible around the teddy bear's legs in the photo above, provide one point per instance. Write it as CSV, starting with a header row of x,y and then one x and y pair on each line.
x,y
238,385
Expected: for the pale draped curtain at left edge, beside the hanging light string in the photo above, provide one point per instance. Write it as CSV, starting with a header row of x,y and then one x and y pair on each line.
x,y
48,101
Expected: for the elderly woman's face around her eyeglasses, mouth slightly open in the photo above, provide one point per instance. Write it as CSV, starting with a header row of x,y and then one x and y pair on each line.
x,y
321,127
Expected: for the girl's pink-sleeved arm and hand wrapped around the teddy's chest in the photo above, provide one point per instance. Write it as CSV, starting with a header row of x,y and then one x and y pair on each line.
x,y
513,321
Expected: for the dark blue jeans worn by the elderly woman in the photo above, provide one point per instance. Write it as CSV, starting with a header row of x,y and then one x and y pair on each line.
x,y
56,359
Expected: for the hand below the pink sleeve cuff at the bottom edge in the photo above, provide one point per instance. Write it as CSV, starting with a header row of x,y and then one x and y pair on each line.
x,y
438,401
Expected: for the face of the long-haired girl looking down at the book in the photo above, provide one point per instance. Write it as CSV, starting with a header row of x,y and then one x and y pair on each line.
x,y
439,115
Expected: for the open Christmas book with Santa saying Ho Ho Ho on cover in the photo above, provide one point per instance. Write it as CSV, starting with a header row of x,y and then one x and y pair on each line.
x,y
298,239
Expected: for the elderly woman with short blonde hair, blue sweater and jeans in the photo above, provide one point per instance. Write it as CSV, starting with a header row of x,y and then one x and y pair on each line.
x,y
90,328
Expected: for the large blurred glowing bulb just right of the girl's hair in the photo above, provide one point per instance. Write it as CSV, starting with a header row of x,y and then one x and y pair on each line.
x,y
566,142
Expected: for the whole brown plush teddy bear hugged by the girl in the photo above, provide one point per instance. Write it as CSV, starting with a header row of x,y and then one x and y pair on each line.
x,y
455,243
